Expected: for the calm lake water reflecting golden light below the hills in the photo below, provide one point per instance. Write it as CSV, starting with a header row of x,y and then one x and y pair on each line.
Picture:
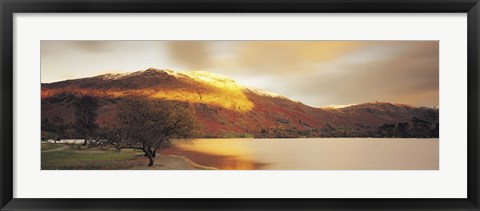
x,y
313,153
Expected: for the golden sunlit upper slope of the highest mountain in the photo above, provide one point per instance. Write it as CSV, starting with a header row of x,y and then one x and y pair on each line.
x,y
208,88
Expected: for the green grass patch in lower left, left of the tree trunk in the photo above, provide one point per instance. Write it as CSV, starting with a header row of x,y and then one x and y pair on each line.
x,y
89,159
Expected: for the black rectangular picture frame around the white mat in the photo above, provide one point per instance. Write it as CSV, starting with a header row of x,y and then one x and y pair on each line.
x,y
9,7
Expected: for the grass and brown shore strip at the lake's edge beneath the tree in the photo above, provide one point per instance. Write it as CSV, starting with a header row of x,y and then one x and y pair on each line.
x,y
69,157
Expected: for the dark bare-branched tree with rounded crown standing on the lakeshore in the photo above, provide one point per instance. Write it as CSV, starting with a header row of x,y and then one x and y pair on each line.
x,y
148,126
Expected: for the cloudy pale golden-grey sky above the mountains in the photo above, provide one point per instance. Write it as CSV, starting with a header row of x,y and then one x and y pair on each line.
x,y
317,73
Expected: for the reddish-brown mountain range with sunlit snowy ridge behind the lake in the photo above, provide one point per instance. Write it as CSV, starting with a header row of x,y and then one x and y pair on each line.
x,y
225,108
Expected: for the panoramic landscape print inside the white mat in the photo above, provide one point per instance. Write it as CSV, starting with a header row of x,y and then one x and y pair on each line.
x,y
239,105
